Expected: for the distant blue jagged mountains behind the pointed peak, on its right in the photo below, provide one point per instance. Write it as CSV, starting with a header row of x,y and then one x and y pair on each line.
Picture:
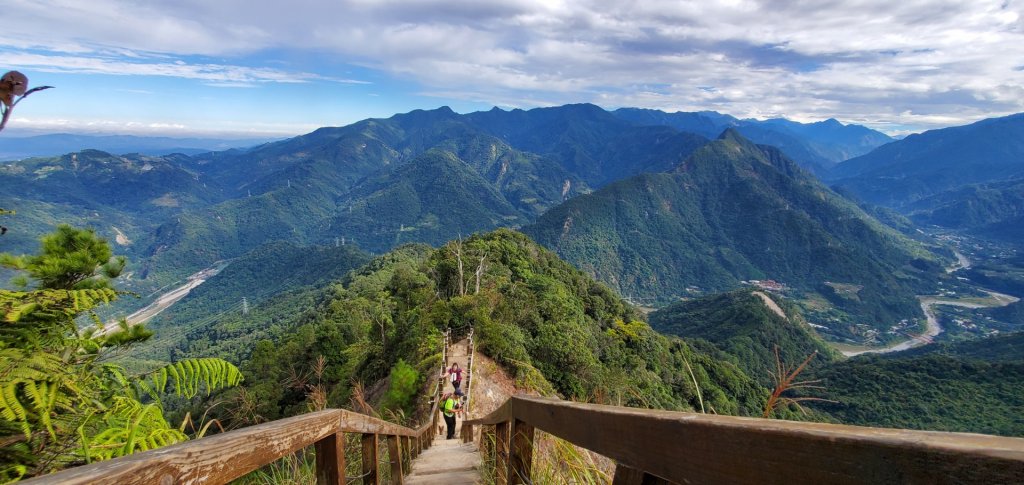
x,y
816,147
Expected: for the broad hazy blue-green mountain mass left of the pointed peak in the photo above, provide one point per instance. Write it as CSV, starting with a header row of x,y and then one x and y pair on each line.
x,y
373,183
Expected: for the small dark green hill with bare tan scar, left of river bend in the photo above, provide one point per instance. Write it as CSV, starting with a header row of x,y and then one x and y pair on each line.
x,y
743,326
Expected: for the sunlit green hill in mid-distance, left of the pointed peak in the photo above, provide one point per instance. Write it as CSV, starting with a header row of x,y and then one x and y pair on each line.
x,y
438,196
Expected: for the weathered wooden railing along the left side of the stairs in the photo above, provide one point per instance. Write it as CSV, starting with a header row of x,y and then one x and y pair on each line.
x,y
224,458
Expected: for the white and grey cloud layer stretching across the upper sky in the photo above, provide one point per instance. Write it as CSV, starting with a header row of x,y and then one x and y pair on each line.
x,y
914,63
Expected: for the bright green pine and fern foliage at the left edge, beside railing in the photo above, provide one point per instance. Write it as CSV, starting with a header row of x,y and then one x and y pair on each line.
x,y
62,404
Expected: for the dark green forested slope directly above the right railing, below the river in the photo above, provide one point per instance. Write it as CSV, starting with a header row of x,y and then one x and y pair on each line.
x,y
968,387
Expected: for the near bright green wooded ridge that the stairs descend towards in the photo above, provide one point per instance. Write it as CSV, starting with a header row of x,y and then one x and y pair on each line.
x,y
554,329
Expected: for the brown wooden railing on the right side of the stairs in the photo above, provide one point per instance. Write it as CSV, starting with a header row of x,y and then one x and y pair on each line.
x,y
654,448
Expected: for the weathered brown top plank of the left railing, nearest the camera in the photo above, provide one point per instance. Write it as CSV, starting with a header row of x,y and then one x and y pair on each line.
x,y
219,459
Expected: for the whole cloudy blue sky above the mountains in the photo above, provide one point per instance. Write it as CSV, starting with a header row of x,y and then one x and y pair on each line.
x,y
259,68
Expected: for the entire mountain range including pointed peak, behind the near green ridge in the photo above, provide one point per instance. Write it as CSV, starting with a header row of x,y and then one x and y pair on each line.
x,y
673,214
